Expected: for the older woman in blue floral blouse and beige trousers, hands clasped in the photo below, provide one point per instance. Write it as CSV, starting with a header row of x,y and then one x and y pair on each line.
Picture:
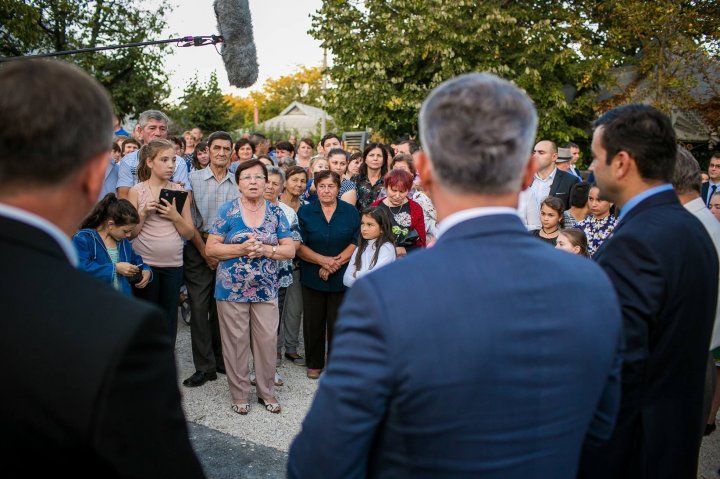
x,y
249,237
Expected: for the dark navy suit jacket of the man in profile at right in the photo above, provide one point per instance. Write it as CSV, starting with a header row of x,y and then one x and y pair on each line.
x,y
665,269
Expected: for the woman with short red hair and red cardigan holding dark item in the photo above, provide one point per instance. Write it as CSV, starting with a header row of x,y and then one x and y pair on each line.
x,y
406,216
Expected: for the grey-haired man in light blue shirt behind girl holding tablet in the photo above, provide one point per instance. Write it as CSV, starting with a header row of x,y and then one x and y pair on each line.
x,y
151,125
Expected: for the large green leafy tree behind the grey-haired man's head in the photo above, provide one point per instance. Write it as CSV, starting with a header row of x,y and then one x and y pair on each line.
x,y
389,54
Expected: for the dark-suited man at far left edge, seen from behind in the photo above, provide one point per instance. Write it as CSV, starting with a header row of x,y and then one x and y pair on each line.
x,y
90,386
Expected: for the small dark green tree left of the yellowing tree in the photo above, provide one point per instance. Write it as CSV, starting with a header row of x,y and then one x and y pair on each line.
x,y
203,105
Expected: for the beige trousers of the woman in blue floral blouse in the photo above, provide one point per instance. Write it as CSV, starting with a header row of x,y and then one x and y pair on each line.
x,y
241,324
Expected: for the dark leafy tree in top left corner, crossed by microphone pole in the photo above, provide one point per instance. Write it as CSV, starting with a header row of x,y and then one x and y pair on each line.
x,y
134,77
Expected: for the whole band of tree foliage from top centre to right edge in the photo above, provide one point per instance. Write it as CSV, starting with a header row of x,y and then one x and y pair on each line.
x,y
389,54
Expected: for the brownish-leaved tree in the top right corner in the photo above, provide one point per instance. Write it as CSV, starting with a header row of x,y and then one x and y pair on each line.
x,y
666,49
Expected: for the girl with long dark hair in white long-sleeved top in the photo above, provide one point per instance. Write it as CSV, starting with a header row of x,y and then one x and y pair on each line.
x,y
375,246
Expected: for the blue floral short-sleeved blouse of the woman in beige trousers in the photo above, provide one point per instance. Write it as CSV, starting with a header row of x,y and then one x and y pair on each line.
x,y
243,279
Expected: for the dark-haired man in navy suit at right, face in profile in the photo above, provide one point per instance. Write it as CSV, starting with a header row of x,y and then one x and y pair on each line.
x,y
665,270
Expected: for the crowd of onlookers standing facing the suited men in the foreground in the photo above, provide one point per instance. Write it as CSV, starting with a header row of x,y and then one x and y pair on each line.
x,y
343,212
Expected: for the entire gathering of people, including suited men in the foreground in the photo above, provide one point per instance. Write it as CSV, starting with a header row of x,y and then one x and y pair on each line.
x,y
268,239
